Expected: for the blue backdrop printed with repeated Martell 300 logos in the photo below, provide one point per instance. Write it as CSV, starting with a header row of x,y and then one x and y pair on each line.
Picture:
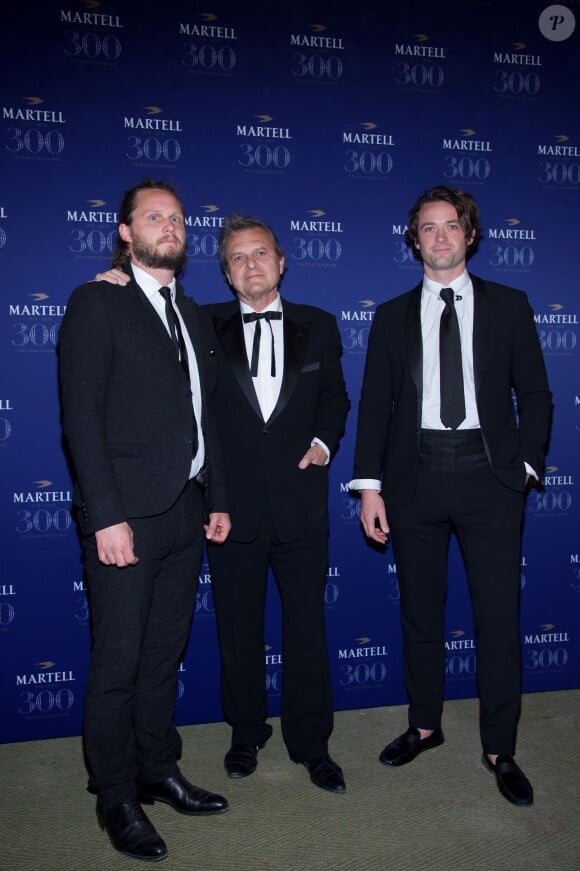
x,y
326,120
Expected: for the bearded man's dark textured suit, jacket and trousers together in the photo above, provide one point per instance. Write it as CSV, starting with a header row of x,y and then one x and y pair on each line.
x,y
128,420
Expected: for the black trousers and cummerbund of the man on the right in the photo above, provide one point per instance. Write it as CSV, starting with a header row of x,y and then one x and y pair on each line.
x,y
458,493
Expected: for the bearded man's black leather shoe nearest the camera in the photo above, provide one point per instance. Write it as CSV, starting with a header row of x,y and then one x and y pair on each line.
x,y
131,832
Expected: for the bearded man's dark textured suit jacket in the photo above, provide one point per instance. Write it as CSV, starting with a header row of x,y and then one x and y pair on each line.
x,y
126,407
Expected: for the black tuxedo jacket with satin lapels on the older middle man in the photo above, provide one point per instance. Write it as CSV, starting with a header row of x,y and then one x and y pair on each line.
x,y
262,456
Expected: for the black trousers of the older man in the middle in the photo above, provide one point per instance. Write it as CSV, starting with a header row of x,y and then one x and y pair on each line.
x,y
239,573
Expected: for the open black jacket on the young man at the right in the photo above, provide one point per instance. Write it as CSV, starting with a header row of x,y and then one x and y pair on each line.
x,y
507,357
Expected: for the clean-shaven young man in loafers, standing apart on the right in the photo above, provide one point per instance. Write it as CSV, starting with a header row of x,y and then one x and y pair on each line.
x,y
439,437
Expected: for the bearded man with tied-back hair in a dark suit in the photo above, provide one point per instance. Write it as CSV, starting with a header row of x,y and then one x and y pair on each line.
x,y
137,369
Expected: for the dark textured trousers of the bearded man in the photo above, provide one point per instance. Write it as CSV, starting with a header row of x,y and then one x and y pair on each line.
x,y
141,617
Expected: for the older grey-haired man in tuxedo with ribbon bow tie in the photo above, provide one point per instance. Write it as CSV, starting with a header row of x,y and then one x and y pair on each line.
x,y
281,406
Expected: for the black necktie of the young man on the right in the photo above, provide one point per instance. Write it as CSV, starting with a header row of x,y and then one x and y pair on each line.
x,y
452,396
